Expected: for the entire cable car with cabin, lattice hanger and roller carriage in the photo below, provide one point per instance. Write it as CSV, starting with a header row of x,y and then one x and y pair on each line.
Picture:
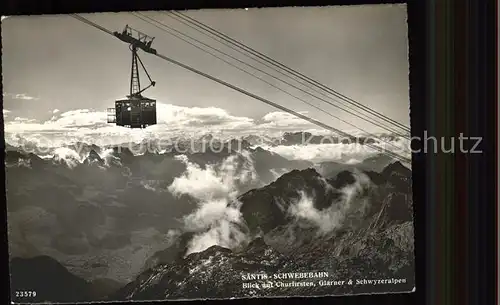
x,y
136,111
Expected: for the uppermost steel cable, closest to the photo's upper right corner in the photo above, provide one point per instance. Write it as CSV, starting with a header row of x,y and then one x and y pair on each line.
x,y
275,63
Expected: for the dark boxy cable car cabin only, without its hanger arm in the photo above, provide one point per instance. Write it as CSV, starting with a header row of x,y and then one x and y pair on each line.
x,y
133,113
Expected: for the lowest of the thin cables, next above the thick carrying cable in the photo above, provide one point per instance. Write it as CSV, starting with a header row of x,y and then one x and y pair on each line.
x,y
272,85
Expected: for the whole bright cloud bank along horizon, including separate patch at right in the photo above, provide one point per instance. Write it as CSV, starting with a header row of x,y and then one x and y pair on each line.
x,y
91,127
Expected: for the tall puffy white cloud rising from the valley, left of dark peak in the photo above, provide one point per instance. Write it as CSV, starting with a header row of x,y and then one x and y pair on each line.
x,y
217,218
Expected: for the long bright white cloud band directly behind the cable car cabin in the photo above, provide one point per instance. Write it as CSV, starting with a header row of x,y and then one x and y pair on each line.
x,y
172,121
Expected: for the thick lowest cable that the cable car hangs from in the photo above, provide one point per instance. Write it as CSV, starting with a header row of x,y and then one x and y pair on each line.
x,y
299,115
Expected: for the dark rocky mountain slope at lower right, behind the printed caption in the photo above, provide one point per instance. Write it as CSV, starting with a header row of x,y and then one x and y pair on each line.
x,y
370,242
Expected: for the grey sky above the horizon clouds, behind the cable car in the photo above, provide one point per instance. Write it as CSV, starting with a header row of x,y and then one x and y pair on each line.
x,y
53,64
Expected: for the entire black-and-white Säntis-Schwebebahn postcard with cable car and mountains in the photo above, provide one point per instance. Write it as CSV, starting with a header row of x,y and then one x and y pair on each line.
x,y
208,154
